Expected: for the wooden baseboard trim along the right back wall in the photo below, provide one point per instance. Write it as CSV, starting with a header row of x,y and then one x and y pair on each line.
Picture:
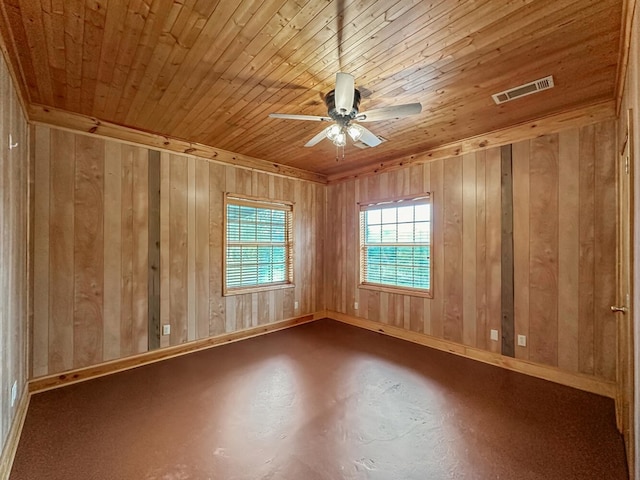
x,y
575,380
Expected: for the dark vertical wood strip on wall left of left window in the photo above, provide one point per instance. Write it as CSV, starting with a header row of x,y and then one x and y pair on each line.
x,y
154,251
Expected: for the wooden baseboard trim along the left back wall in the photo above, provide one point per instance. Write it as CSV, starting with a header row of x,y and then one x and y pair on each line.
x,y
50,382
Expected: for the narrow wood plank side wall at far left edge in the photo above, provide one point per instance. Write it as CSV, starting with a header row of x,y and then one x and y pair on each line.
x,y
14,171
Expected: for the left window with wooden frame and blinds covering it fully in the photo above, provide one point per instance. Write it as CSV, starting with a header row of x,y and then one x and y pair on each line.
x,y
258,244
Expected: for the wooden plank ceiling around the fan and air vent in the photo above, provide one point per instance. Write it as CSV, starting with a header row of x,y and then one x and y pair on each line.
x,y
211,71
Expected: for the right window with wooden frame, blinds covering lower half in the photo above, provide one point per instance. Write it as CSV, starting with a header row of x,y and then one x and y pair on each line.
x,y
395,245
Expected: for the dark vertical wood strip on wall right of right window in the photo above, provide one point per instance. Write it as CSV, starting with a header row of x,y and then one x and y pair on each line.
x,y
506,244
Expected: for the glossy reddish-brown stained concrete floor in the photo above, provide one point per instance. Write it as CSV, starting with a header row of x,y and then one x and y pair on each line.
x,y
320,401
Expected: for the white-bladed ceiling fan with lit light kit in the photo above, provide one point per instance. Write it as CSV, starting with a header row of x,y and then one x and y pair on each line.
x,y
342,105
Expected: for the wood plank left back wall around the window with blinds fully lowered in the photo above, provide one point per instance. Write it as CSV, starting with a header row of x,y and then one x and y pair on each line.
x,y
91,226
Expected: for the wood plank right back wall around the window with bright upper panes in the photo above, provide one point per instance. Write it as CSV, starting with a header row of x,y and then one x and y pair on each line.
x,y
564,262
